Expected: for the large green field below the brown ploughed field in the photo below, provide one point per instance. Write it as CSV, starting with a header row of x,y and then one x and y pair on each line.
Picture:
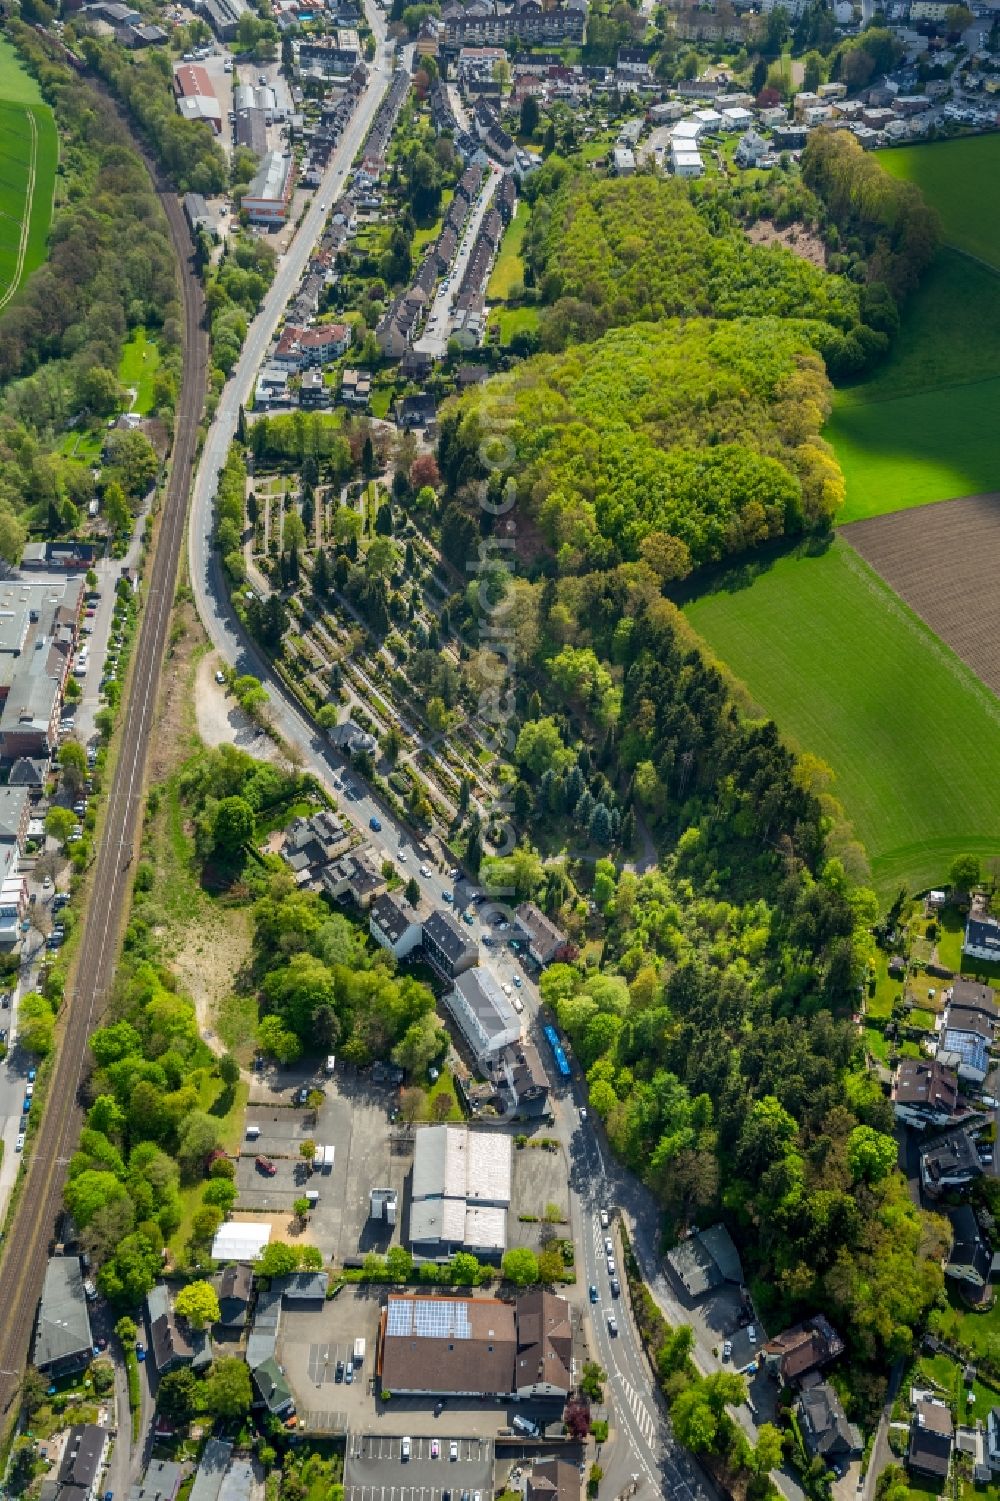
x,y
854,676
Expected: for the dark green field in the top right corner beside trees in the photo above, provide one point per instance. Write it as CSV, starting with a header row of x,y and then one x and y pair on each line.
x,y
962,181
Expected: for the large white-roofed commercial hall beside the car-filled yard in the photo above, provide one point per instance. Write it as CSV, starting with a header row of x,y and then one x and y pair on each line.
x,y
460,1191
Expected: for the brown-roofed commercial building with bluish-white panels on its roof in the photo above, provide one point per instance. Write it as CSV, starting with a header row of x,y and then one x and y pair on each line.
x,y
477,1347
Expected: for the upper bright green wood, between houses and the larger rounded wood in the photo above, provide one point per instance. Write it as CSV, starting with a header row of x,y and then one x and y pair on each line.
x,y
610,251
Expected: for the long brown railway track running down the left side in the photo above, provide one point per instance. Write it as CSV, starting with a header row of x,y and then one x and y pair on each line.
x,y
26,1251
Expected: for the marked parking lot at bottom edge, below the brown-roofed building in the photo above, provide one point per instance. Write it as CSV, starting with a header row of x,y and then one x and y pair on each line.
x,y
375,1469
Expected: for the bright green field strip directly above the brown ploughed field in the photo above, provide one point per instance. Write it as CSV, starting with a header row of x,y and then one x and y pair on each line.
x,y
909,453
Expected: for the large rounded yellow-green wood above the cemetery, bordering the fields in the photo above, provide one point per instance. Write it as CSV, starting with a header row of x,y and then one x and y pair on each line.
x,y
690,441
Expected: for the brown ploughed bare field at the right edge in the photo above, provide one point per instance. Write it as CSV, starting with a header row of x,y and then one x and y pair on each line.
x,y
942,561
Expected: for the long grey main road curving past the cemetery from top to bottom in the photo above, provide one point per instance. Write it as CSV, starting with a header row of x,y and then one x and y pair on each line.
x,y
642,1445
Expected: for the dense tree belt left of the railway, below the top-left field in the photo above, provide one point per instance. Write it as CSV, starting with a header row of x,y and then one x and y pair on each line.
x,y
110,271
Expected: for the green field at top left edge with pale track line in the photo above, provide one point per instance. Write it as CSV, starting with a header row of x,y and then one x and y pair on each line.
x,y
29,157
